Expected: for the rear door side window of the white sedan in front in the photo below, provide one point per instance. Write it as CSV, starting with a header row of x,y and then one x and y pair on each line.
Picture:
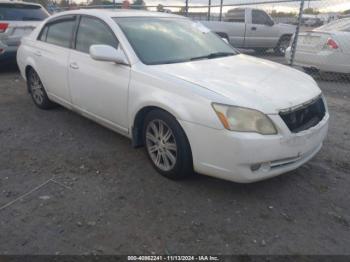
x,y
60,33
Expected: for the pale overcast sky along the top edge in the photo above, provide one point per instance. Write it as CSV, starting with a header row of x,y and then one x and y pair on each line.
x,y
322,5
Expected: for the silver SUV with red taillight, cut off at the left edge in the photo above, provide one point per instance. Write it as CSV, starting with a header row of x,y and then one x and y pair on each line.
x,y
17,19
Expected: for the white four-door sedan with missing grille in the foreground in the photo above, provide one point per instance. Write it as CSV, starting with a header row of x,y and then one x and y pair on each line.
x,y
171,85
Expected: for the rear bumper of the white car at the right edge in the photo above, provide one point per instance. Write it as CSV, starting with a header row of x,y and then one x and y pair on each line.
x,y
325,60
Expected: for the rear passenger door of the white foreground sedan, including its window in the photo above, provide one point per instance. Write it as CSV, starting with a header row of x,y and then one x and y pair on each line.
x,y
52,52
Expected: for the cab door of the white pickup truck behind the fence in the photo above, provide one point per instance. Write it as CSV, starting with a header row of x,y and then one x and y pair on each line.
x,y
261,31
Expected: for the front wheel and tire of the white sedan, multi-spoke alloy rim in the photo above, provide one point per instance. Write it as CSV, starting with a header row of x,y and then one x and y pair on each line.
x,y
167,146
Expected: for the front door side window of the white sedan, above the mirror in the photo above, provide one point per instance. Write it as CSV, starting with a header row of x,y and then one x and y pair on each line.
x,y
92,31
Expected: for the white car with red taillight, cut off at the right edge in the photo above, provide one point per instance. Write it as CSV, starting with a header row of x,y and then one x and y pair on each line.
x,y
326,48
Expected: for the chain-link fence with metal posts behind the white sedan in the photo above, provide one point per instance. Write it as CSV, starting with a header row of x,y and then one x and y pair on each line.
x,y
310,35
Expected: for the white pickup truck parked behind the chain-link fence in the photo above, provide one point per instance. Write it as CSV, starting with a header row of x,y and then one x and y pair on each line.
x,y
249,28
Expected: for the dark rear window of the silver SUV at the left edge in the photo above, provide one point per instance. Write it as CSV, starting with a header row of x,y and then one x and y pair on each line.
x,y
22,12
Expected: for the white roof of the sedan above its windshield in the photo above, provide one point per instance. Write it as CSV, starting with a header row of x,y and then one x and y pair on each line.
x,y
118,13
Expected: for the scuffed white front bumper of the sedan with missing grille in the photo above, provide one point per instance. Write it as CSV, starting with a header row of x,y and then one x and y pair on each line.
x,y
250,157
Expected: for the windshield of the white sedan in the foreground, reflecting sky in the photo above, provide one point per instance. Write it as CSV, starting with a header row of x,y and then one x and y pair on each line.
x,y
172,40
